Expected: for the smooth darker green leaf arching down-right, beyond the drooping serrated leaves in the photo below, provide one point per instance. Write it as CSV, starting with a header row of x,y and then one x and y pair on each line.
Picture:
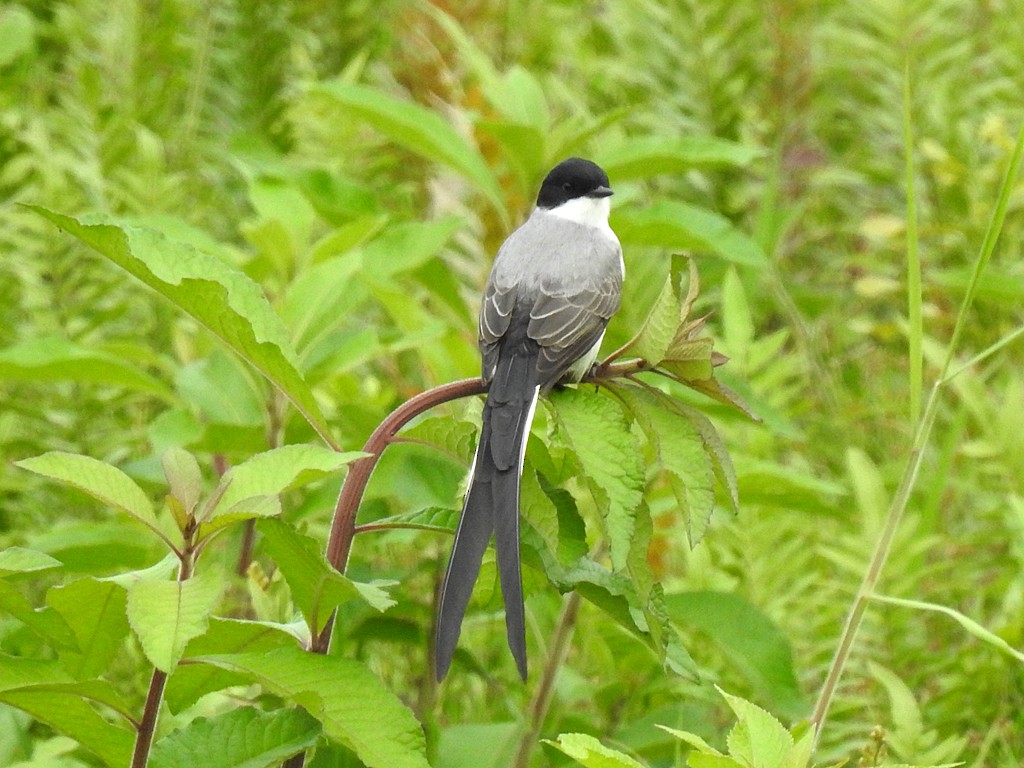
x,y
749,638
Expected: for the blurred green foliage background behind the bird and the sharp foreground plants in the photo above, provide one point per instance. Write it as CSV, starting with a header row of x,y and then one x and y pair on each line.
x,y
766,139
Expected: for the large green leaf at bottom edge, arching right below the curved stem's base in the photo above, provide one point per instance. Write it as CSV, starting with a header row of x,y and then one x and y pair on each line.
x,y
353,704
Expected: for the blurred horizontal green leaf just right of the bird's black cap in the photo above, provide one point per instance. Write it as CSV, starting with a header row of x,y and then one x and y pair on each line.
x,y
644,158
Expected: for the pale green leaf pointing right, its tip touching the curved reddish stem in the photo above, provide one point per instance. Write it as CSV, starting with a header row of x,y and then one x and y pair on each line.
x,y
276,472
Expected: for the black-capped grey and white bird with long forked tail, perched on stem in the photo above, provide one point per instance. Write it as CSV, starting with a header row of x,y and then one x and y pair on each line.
x,y
553,287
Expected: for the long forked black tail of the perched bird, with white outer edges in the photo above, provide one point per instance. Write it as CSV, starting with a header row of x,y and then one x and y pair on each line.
x,y
492,507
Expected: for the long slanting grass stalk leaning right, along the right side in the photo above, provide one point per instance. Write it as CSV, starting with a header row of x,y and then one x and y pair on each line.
x,y
922,438
